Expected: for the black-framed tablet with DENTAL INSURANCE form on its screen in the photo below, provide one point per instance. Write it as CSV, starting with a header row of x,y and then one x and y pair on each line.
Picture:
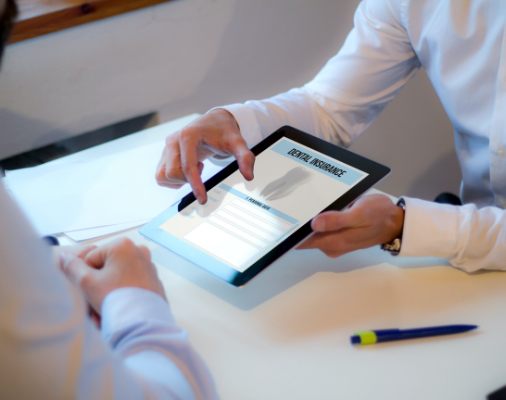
x,y
245,226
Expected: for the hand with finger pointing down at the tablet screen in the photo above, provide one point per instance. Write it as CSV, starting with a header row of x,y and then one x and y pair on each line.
x,y
216,132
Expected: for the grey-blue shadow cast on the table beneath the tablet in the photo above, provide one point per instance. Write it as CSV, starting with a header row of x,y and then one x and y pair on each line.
x,y
286,272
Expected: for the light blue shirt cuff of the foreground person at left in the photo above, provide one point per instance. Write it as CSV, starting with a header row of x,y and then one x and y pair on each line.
x,y
125,308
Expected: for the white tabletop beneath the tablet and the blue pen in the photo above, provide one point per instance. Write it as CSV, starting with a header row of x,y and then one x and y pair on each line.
x,y
285,335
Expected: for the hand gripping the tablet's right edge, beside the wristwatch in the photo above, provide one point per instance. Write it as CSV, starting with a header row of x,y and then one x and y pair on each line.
x,y
371,220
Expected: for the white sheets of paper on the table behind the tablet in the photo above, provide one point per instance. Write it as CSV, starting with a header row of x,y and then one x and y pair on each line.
x,y
101,190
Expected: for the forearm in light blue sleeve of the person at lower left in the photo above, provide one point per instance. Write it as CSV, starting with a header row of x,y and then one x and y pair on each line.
x,y
140,328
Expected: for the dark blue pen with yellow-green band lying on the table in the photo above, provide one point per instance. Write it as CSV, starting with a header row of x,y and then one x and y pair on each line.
x,y
388,335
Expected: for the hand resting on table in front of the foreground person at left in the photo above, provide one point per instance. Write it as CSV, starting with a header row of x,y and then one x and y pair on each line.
x,y
104,269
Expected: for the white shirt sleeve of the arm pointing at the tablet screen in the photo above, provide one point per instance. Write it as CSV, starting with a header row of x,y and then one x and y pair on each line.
x,y
354,86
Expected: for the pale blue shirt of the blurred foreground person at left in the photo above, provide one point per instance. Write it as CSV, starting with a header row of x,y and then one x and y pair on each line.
x,y
49,348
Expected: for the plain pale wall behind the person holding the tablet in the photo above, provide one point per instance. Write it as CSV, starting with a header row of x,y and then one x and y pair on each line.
x,y
188,55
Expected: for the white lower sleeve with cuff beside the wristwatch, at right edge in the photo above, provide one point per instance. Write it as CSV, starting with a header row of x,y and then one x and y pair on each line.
x,y
470,238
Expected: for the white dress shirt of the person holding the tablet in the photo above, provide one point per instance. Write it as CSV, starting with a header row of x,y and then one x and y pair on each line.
x,y
462,47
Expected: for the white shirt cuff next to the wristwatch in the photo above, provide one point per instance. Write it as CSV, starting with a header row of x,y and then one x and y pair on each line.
x,y
430,229
